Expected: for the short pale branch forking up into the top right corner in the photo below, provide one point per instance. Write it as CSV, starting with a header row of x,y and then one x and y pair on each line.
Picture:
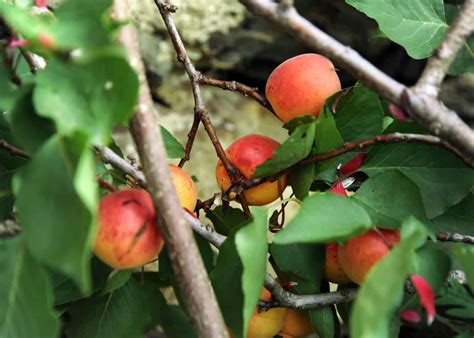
x,y
438,64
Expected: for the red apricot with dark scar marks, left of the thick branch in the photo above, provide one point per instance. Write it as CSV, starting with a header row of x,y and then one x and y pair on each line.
x,y
128,236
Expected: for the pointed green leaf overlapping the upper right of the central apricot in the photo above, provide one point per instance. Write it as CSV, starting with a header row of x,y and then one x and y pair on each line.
x,y
294,149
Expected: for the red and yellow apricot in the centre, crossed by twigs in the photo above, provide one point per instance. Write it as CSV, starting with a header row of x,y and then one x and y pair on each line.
x,y
246,154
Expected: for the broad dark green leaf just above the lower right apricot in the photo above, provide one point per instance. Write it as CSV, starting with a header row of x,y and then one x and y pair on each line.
x,y
389,198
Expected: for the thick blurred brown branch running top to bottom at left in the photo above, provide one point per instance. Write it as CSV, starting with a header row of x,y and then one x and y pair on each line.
x,y
187,263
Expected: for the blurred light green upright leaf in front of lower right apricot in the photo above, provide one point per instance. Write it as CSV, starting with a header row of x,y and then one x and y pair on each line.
x,y
381,293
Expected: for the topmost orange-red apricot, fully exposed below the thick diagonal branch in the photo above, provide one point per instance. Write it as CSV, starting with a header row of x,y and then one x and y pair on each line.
x,y
300,86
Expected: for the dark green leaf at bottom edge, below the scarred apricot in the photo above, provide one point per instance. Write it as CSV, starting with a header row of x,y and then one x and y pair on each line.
x,y
129,311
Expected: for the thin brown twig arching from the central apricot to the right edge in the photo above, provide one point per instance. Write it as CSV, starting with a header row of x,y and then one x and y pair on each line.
x,y
347,147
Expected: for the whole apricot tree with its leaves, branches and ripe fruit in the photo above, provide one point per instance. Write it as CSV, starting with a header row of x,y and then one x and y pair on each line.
x,y
381,175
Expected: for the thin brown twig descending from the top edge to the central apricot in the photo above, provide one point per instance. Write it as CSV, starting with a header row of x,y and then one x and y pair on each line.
x,y
200,109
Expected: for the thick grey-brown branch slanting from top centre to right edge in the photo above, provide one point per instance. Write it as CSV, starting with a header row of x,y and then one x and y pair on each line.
x,y
426,110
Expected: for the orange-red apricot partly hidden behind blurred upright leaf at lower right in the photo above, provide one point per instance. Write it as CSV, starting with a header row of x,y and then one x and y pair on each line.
x,y
359,254
